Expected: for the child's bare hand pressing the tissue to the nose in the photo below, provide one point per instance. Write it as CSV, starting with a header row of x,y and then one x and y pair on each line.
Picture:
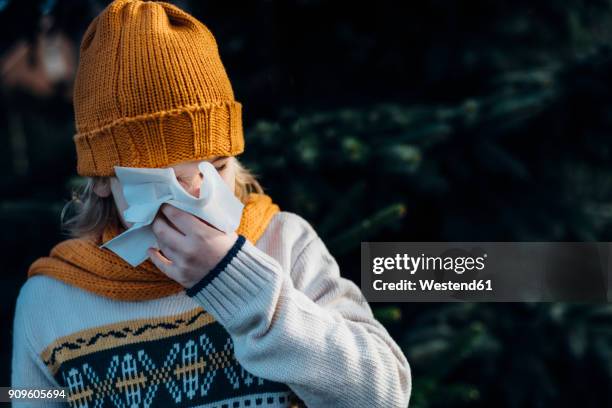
x,y
190,247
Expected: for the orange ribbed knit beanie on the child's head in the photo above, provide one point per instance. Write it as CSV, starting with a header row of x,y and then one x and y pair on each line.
x,y
151,91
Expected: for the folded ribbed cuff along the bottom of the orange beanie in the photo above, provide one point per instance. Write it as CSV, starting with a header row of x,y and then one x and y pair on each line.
x,y
162,139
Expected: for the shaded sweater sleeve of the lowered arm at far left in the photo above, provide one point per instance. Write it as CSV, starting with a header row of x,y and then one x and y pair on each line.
x,y
27,369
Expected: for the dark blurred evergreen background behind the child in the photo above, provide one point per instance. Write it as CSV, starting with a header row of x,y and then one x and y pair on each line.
x,y
443,120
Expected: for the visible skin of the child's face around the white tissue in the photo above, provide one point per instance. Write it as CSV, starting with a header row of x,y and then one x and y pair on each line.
x,y
187,174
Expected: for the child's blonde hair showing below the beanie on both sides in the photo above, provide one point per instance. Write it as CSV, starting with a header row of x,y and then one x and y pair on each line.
x,y
92,213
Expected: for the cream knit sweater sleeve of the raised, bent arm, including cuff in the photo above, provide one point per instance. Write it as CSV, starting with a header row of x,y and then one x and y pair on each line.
x,y
319,337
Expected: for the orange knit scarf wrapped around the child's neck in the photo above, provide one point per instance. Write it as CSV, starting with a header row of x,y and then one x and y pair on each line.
x,y
80,262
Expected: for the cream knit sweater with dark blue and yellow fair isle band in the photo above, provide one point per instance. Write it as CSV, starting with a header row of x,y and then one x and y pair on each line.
x,y
271,322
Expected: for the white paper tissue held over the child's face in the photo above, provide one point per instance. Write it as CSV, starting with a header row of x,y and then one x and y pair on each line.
x,y
146,189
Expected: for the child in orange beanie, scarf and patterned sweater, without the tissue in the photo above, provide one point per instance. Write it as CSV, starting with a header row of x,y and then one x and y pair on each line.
x,y
259,317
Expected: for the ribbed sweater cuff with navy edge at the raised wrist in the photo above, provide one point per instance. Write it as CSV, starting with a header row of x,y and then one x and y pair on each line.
x,y
235,286
